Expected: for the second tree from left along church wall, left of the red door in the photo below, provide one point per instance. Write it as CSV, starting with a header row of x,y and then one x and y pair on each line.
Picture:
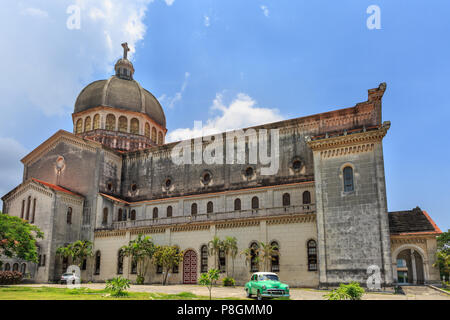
x,y
141,250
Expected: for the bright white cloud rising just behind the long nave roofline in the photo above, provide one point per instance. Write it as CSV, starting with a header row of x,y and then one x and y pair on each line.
x,y
242,112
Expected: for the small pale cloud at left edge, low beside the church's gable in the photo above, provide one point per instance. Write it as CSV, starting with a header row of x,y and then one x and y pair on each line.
x,y
10,166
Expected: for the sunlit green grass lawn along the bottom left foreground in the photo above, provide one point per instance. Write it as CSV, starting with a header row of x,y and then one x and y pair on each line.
x,y
46,293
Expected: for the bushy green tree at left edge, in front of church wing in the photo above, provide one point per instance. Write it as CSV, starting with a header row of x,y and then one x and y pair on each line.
x,y
18,238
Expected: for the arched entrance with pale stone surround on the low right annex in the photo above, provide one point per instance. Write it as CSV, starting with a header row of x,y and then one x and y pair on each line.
x,y
410,265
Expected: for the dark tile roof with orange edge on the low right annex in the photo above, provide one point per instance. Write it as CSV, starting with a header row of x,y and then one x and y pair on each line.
x,y
415,221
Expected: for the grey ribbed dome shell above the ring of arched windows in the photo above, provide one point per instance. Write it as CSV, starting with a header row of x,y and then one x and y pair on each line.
x,y
120,94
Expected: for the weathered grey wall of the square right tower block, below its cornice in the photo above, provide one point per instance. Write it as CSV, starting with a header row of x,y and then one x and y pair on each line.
x,y
352,226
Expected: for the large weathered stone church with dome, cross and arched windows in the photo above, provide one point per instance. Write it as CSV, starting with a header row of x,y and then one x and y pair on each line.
x,y
325,209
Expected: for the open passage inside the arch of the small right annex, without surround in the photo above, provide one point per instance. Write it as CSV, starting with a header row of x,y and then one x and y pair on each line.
x,y
409,267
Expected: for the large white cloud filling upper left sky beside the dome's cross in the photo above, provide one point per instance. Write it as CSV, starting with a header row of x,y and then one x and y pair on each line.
x,y
48,64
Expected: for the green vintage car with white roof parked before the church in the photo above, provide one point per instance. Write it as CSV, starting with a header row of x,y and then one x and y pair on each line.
x,y
266,285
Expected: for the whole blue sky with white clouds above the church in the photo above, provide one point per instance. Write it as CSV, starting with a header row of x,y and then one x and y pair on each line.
x,y
206,59
